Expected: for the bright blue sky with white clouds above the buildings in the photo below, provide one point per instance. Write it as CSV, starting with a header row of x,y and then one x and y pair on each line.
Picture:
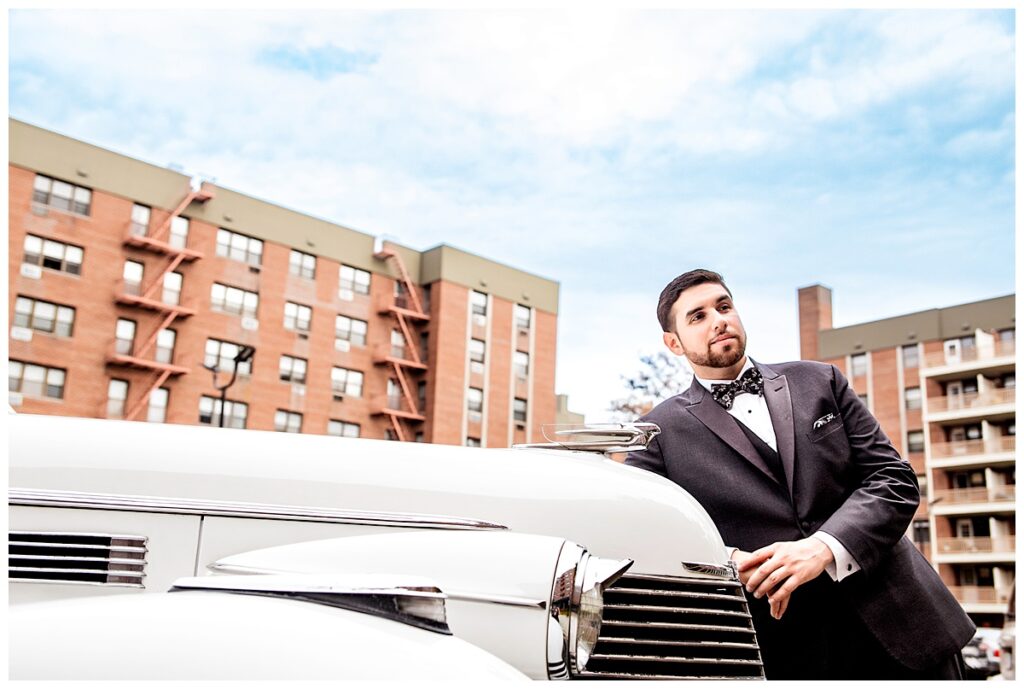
x,y
872,152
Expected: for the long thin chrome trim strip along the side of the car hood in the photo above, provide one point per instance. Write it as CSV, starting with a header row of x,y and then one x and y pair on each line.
x,y
100,501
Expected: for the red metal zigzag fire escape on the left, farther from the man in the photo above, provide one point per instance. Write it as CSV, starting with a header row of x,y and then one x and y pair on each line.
x,y
159,242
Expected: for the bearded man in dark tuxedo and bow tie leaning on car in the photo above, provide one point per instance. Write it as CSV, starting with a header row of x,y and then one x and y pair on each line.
x,y
810,495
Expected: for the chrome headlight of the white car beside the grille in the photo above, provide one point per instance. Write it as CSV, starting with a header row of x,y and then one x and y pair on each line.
x,y
578,607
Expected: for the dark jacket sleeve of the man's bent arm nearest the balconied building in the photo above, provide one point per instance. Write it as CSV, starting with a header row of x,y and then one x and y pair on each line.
x,y
884,496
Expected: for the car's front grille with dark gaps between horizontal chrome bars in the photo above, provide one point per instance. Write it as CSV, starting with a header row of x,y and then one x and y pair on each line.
x,y
674,628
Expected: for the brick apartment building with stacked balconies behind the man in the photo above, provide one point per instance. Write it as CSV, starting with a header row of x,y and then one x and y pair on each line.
x,y
942,384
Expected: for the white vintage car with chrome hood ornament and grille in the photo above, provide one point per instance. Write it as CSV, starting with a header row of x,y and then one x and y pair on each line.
x,y
145,551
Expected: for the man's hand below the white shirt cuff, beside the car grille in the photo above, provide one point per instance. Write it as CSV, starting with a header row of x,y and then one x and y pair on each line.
x,y
778,571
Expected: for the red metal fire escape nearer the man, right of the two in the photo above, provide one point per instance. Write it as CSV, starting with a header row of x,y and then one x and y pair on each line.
x,y
404,358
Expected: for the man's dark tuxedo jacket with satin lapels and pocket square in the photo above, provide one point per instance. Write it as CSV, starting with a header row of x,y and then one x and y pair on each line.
x,y
843,477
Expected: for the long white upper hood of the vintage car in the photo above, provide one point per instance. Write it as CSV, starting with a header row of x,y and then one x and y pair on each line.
x,y
614,510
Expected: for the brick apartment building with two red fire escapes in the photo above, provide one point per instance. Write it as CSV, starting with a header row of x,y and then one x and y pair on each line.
x,y
126,280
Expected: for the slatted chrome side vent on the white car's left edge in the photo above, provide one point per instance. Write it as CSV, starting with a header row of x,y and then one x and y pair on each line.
x,y
76,558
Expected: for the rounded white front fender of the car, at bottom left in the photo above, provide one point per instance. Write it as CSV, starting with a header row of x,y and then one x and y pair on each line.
x,y
217,636
